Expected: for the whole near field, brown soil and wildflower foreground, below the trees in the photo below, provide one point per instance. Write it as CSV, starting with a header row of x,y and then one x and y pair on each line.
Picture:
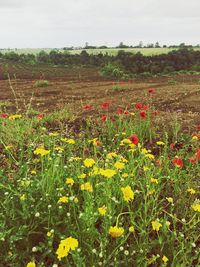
x,y
98,172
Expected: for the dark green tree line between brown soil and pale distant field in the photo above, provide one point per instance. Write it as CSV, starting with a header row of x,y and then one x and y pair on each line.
x,y
130,63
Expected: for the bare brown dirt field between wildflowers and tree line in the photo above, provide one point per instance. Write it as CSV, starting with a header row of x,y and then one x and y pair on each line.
x,y
178,95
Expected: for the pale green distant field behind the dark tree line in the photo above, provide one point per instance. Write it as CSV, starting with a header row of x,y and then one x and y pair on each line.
x,y
110,51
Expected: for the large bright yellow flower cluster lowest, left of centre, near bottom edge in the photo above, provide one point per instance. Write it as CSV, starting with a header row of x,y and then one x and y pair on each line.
x,y
65,246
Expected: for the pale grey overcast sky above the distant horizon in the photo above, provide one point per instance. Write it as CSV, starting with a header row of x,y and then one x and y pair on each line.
x,y
59,23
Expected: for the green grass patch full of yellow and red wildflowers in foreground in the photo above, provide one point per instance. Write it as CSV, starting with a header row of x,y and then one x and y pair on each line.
x,y
108,191
